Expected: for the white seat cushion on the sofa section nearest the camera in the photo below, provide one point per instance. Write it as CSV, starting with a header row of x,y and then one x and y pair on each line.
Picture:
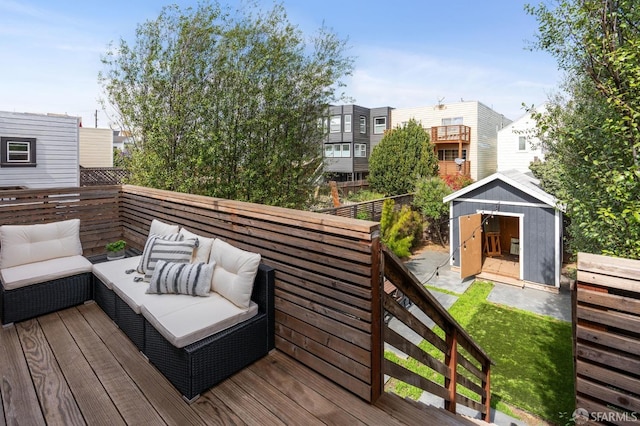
x,y
184,320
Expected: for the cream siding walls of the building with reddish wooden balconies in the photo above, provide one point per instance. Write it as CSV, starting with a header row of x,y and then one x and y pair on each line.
x,y
483,122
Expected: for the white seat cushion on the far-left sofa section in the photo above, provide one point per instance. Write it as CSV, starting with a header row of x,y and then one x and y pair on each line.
x,y
46,270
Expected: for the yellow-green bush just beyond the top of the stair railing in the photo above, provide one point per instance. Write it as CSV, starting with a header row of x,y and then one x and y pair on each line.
x,y
400,230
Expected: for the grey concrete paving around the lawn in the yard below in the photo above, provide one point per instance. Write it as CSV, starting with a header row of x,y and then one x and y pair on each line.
x,y
432,268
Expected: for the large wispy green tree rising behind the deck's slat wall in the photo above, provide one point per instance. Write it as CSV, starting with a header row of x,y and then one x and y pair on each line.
x,y
225,103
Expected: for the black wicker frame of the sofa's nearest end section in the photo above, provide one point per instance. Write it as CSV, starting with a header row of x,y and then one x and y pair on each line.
x,y
203,364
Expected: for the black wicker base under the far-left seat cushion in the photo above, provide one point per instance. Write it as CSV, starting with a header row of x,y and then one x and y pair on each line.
x,y
38,299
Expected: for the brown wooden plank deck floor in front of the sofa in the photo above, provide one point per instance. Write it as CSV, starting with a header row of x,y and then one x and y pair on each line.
x,y
76,367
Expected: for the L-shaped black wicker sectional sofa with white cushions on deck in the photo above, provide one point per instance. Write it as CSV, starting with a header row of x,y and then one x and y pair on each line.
x,y
196,342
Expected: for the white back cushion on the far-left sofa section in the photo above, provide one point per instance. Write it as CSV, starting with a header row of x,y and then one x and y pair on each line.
x,y
22,244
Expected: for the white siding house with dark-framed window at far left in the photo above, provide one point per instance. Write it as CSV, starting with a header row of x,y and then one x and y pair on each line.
x,y
38,150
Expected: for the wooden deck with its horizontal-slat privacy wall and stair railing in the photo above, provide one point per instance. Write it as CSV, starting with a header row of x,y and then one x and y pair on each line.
x,y
76,367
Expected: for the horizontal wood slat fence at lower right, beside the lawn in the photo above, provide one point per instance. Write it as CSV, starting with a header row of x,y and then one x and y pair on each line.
x,y
606,303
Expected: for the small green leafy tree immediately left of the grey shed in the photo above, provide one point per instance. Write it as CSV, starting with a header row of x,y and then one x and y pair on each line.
x,y
428,200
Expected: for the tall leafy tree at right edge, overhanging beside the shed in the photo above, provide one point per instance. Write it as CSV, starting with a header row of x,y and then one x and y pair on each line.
x,y
592,130
